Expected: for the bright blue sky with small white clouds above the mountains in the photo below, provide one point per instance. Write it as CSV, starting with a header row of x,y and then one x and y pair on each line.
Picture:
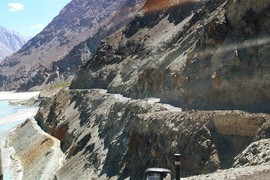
x,y
29,17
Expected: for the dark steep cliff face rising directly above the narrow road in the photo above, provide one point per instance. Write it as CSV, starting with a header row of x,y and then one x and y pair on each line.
x,y
196,54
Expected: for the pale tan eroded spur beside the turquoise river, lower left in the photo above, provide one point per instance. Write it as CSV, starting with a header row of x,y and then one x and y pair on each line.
x,y
38,152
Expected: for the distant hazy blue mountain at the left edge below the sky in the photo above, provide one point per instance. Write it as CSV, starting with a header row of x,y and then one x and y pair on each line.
x,y
10,42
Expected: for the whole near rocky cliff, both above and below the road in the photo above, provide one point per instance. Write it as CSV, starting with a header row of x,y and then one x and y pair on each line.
x,y
184,76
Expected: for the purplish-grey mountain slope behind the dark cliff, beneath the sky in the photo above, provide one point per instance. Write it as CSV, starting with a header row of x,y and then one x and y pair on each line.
x,y
33,65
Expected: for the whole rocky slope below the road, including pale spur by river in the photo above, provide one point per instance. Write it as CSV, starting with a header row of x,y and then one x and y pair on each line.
x,y
105,135
